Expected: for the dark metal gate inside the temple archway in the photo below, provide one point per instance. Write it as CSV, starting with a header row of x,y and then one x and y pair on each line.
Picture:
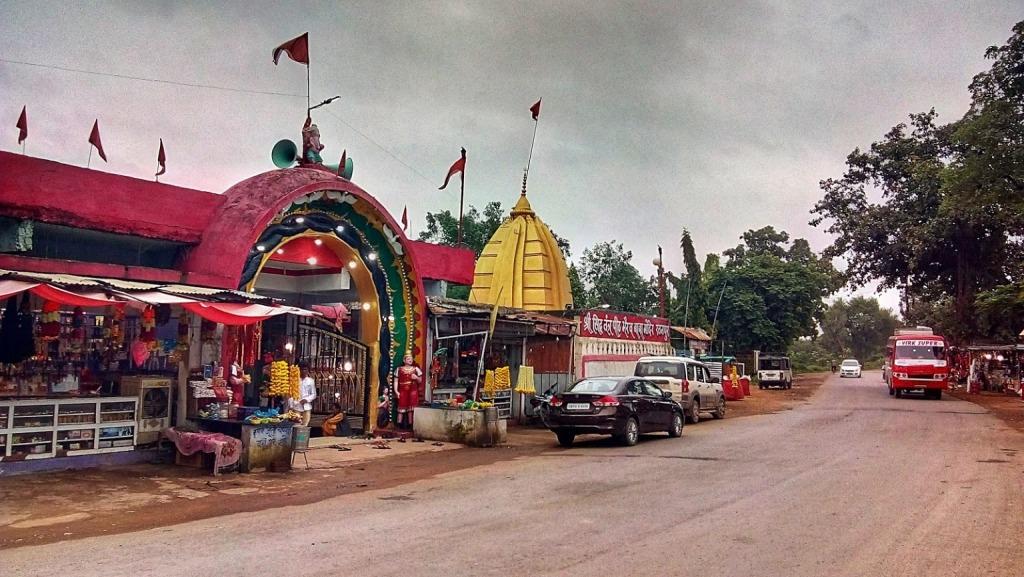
x,y
340,366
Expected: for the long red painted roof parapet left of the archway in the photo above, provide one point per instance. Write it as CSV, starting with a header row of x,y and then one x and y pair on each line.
x,y
61,194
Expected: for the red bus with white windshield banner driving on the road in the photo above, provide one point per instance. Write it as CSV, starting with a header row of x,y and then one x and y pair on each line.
x,y
917,360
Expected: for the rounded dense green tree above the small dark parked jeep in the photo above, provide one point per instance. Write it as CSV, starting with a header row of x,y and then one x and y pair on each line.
x,y
772,295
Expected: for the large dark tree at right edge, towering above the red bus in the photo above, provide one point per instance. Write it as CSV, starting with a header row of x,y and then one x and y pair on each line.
x,y
952,204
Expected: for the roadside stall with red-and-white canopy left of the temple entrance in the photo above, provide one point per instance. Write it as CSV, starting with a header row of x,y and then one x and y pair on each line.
x,y
92,366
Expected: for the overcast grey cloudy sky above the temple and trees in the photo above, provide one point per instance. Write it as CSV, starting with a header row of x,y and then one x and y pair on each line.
x,y
713,116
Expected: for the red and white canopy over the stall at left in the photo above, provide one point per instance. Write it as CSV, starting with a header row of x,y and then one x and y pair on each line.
x,y
220,306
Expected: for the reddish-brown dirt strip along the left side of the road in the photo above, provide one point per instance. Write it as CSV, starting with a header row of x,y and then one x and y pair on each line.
x,y
58,507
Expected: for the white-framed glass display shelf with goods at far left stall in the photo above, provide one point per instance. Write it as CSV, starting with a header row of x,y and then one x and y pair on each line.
x,y
52,428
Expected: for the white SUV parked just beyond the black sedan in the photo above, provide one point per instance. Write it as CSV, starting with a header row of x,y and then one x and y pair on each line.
x,y
689,381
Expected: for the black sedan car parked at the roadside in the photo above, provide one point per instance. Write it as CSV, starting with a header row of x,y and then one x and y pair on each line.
x,y
623,407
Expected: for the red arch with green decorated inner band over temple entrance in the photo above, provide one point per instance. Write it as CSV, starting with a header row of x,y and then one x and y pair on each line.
x,y
271,210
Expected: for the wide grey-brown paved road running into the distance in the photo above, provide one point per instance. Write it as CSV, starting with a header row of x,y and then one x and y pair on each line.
x,y
855,483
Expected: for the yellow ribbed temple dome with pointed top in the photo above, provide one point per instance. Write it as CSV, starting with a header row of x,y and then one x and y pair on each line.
x,y
522,266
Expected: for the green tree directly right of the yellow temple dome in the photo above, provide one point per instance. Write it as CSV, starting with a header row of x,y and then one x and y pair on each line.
x,y
611,278
